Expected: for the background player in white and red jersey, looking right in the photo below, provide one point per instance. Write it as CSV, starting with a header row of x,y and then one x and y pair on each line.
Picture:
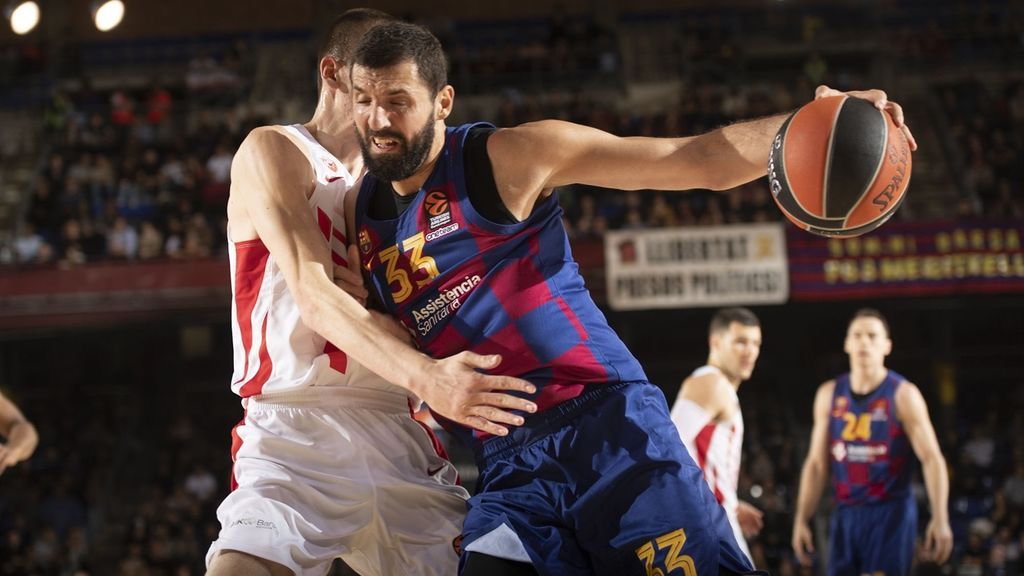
x,y
708,416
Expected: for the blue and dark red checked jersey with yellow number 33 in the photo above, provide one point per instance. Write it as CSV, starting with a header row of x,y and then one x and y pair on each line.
x,y
459,281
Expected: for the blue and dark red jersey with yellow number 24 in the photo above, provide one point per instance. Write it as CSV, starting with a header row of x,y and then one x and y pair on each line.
x,y
870,452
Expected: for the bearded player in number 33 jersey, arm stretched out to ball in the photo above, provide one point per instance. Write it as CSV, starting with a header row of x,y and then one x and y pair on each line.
x,y
464,243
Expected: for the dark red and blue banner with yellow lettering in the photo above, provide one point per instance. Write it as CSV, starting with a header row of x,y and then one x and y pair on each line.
x,y
910,260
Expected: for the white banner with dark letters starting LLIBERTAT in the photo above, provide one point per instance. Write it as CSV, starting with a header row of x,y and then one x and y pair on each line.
x,y
697,267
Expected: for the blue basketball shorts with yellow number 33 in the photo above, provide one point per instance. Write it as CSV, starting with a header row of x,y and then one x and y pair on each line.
x,y
602,485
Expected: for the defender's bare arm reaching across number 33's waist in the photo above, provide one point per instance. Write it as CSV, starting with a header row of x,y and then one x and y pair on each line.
x,y
270,177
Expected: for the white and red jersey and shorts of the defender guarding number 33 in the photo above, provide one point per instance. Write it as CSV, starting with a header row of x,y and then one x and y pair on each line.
x,y
329,462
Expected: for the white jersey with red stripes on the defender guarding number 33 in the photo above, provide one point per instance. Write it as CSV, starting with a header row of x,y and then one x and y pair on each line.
x,y
275,351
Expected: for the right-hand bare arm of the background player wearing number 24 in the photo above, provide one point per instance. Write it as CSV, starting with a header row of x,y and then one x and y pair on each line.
x,y
913,414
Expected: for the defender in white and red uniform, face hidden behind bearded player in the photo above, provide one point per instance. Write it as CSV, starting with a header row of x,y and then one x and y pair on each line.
x,y
328,461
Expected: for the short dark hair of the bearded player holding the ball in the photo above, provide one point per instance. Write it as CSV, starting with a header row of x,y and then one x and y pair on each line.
x,y
396,43
